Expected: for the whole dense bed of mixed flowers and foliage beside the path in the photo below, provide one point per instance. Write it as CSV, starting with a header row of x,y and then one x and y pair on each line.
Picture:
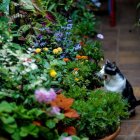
x,y
48,65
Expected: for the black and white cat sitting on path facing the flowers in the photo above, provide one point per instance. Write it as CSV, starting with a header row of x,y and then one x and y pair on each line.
x,y
115,81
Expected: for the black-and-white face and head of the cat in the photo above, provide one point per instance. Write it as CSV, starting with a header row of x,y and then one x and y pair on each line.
x,y
109,68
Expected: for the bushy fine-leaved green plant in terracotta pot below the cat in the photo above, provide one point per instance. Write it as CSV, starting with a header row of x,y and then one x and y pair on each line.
x,y
100,114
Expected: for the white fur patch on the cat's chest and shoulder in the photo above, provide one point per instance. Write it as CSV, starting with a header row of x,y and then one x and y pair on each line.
x,y
115,83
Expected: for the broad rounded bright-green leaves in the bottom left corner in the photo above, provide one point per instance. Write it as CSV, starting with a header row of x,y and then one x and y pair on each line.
x,y
19,122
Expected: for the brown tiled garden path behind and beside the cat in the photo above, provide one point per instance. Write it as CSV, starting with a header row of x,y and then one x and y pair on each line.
x,y
122,44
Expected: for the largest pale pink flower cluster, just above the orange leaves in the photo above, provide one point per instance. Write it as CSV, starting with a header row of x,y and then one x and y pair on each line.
x,y
44,96
